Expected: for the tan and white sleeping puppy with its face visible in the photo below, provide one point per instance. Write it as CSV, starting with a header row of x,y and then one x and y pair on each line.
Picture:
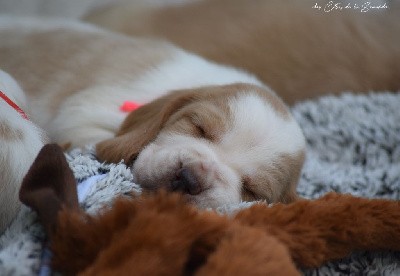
x,y
213,132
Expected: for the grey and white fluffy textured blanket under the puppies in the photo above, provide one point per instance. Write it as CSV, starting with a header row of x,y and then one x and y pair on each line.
x,y
353,147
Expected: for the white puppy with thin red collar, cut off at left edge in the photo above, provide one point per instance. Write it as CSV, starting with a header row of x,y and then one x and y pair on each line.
x,y
20,142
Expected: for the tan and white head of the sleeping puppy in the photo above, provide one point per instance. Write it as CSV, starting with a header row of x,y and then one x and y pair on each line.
x,y
217,144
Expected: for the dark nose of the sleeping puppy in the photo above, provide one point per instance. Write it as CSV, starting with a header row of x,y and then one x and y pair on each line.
x,y
186,182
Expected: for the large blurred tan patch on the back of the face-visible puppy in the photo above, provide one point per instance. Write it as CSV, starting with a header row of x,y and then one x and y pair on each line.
x,y
62,68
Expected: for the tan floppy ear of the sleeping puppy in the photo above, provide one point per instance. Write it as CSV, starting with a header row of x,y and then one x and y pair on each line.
x,y
141,127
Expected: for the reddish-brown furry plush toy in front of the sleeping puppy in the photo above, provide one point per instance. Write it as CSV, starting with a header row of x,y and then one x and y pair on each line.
x,y
162,234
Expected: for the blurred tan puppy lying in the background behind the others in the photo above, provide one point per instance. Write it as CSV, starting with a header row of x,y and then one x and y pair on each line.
x,y
300,51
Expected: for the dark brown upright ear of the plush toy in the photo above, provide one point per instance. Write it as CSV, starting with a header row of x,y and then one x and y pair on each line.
x,y
49,186
